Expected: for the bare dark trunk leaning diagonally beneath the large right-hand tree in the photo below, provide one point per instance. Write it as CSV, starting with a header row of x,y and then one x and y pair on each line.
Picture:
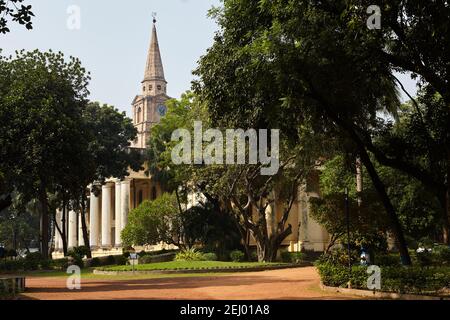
x,y
394,222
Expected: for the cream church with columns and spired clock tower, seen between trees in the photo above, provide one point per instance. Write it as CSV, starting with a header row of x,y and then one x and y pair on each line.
x,y
108,211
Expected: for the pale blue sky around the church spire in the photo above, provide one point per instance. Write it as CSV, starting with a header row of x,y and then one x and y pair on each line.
x,y
113,39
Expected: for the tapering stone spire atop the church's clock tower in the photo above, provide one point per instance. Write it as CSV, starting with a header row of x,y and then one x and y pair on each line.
x,y
154,82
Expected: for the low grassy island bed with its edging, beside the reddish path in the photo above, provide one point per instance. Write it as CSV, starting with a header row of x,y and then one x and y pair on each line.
x,y
196,267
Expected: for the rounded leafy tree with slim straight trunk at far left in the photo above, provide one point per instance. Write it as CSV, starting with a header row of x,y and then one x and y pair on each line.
x,y
41,98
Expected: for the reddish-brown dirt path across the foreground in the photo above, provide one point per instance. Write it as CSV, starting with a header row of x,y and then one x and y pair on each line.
x,y
298,283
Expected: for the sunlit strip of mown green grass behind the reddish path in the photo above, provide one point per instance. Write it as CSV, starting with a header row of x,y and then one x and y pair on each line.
x,y
180,265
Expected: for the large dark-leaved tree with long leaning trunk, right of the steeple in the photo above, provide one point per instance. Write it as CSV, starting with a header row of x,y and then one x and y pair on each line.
x,y
292,62
